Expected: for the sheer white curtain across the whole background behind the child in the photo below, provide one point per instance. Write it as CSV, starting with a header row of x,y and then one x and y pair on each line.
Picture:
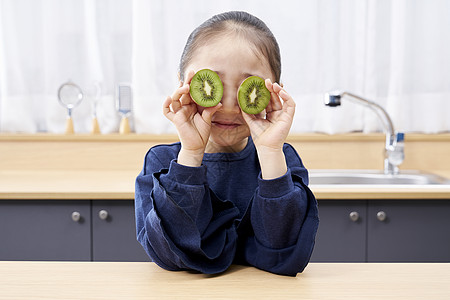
x,y
393,52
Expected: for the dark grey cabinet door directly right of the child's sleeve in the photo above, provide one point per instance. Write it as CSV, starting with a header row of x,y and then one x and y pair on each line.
x,y
339,238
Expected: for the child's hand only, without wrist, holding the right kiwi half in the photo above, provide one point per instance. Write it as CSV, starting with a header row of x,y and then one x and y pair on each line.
x,y
270,133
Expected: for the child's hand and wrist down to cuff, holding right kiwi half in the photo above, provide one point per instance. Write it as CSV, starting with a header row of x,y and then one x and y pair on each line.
x,y
270,133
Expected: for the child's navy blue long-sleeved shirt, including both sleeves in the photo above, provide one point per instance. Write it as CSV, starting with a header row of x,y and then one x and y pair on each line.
x,y
206,218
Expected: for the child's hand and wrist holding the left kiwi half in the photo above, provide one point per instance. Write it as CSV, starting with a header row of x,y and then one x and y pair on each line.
x,y
192,121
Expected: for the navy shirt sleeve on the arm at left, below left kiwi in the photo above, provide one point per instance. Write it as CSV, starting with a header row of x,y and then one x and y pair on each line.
x,y
180,222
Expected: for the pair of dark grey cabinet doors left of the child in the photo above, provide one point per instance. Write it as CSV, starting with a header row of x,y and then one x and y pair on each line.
x,y
80,230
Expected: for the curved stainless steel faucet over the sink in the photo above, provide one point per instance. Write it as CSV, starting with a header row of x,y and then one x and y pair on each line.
x,y
394,148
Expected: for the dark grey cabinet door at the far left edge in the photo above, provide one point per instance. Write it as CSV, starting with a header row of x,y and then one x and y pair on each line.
x,y
44,230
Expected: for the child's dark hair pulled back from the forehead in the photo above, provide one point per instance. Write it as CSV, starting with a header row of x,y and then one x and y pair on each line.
x,y
234,22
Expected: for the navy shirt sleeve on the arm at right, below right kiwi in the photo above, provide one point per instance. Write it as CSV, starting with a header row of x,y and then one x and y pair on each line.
x,y
284,219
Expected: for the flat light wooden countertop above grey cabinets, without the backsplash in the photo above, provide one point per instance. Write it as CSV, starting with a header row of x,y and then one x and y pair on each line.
x,y
119,184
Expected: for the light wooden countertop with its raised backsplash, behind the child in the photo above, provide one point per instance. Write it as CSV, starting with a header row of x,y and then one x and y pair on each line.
x,y
81,166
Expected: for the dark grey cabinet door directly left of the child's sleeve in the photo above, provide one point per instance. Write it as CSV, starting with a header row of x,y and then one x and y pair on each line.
x,y
114,232
